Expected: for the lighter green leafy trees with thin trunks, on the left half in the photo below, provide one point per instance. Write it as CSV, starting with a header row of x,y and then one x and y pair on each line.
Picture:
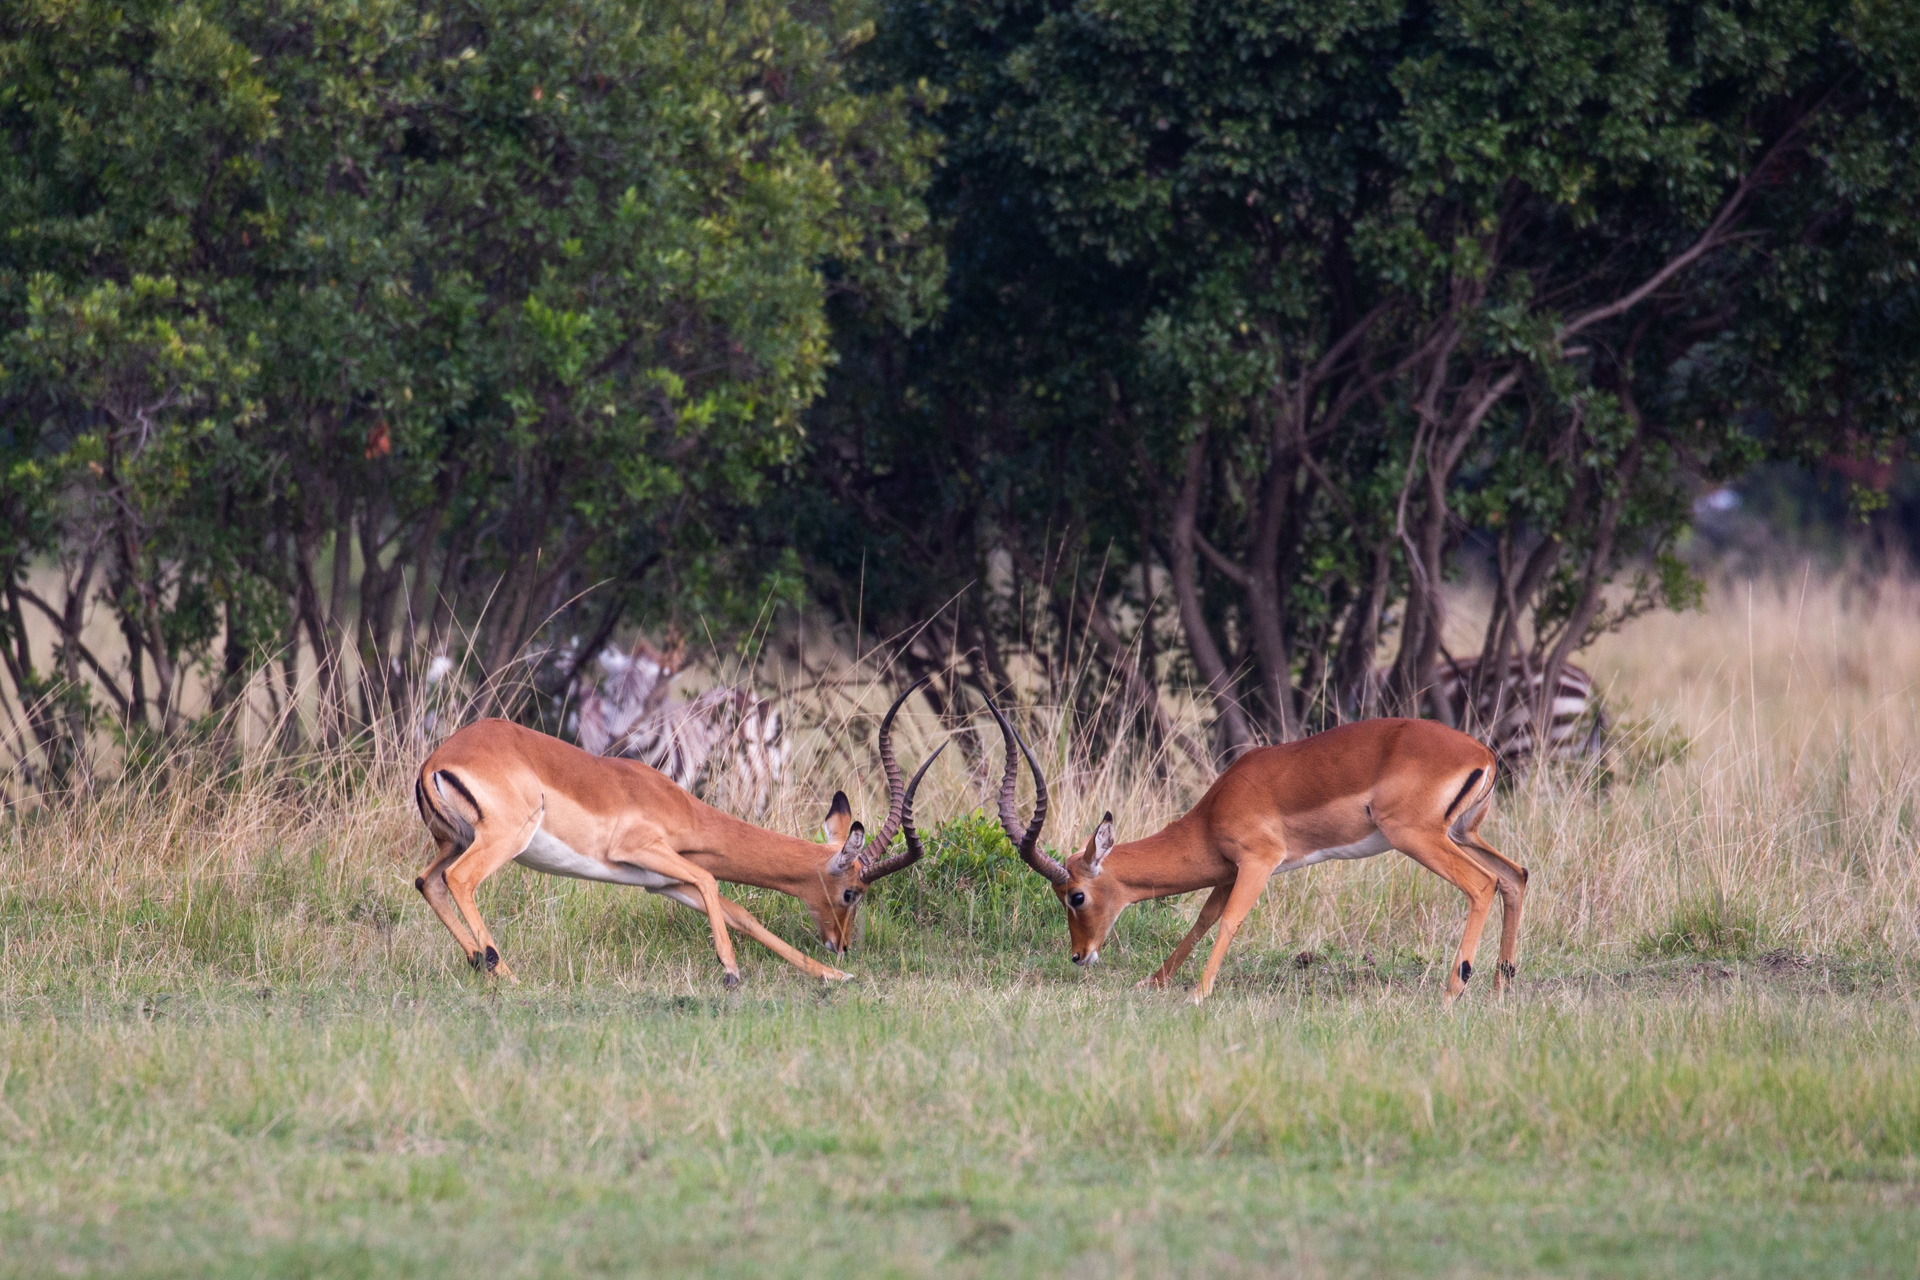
x,y
387,327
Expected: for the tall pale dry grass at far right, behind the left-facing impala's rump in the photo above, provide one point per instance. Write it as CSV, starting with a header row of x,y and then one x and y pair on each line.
x,y
1788,820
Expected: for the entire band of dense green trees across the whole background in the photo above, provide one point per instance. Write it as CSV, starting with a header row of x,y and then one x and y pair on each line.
x,y
1193,358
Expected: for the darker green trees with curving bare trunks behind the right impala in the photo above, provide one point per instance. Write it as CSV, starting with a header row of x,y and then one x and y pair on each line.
x,y
1259,310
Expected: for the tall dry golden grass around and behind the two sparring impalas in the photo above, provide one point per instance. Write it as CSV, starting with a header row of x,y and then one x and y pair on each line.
x,y
1760,795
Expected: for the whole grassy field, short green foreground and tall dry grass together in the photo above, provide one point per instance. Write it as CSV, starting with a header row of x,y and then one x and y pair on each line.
x,y
235,1043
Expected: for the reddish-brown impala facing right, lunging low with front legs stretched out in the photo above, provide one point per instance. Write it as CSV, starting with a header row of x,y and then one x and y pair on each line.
x,y
498,794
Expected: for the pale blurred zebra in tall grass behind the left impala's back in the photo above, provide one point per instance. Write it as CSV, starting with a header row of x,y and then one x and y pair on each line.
x,y
631,717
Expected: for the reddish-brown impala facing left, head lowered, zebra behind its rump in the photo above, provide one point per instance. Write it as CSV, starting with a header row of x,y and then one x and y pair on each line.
x,y
1347,794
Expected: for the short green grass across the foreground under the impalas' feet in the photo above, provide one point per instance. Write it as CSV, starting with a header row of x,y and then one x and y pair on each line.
x,y
291,1076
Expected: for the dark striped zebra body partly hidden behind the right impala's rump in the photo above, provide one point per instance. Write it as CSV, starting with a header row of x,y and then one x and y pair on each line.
x,y
1504,717
